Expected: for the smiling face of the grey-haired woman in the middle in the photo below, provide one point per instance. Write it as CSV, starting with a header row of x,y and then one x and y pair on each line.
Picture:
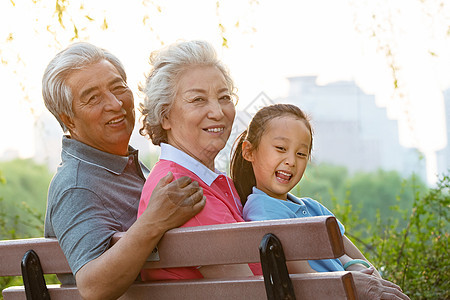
x,y
200,120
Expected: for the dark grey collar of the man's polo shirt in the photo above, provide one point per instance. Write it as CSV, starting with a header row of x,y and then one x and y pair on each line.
x,y
110,162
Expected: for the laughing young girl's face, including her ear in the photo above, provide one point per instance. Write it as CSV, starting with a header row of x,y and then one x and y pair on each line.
x,y
281,157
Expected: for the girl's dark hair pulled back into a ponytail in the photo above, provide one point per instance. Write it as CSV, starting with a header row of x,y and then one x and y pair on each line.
x,y
241,169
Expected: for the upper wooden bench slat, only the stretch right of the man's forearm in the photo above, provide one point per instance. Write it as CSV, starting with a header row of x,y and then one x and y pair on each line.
x,y
305,238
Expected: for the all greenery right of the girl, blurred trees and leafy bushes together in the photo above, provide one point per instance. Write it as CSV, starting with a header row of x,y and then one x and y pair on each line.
x,y
401,226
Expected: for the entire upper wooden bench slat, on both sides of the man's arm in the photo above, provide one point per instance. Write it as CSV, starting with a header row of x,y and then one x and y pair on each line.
x,y
305,238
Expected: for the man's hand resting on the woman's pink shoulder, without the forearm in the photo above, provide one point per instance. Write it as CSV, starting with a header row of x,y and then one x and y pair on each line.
x,y
173,203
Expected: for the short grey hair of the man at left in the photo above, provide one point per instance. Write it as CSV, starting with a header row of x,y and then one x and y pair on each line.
x,y
55,91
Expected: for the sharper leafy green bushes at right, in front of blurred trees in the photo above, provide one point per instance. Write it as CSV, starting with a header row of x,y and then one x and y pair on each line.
x,y
415,256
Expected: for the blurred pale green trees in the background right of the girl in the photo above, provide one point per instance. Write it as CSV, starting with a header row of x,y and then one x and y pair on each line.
x,y
367,193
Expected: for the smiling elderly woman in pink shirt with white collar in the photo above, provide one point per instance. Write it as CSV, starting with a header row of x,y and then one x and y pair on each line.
x,y
189,112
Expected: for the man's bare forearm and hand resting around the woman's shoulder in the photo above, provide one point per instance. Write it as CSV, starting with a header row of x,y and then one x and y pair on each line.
x,y
171,205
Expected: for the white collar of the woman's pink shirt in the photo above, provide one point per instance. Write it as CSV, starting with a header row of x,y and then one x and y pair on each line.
x,y
169,152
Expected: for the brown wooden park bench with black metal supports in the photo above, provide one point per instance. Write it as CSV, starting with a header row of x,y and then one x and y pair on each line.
x,y
270,242
